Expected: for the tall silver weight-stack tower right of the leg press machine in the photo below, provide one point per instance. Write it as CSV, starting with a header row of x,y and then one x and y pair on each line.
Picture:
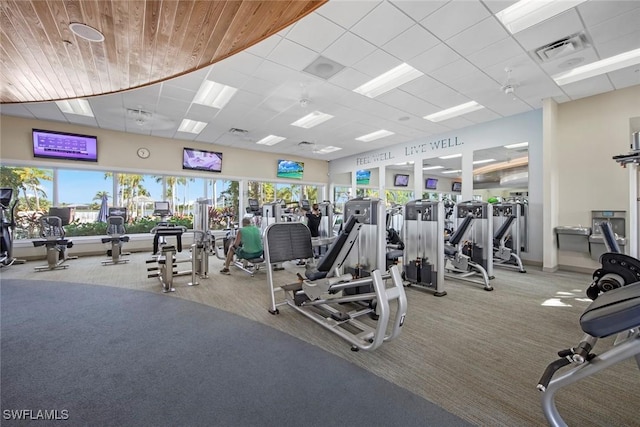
x,y
423,257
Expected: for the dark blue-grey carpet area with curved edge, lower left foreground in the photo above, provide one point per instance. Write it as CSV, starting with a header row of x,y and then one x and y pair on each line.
x,y
111,356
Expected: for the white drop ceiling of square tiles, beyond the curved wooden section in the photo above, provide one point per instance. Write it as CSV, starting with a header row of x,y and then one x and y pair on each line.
x,y
459,45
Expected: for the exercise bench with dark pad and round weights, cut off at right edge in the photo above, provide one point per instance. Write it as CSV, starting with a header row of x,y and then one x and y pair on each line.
x,y
614,311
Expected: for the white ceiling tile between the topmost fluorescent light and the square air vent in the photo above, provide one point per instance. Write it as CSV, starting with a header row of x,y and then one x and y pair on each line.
x,y
551,30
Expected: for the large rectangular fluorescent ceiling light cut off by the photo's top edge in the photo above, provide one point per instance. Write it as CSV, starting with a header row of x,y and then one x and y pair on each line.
x,y
527,13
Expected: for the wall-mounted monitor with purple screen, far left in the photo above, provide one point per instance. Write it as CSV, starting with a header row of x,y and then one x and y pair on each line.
x,y
66,146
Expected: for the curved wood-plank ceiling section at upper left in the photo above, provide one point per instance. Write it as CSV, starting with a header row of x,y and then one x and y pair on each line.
x,y
145,41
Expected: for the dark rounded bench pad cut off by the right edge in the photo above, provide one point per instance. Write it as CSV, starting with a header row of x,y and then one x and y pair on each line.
x,y
612,312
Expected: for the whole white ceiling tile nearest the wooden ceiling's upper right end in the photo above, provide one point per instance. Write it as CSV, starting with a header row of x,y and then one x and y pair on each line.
x,y
315,32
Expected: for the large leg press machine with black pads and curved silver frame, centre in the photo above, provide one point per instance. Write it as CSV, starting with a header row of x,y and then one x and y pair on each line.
x,y
365,320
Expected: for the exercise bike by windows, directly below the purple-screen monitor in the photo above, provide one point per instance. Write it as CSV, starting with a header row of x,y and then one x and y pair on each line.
x,y
53,238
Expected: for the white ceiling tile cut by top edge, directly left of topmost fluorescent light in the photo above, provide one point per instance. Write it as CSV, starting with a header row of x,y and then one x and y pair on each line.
x,y
454,17
